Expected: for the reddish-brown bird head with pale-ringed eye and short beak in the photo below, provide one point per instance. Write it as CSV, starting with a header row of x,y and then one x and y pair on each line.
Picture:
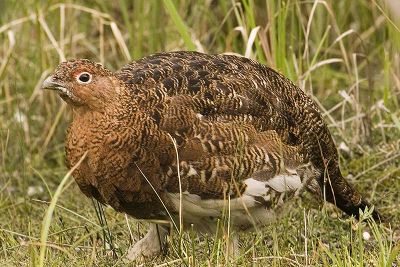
x,y
83,84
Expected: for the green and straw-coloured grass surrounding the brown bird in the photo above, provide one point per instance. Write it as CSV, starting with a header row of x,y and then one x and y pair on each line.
x,y
345,54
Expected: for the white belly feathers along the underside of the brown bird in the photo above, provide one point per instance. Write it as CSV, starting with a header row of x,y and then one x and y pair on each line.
x,y
249,210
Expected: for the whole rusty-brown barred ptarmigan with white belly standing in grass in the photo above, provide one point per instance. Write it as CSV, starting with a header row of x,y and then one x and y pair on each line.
x,y
245,137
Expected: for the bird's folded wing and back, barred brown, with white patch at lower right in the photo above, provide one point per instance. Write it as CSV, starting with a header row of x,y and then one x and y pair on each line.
x,y
230,122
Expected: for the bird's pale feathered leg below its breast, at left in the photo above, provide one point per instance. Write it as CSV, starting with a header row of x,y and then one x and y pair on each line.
x,y
152,244
